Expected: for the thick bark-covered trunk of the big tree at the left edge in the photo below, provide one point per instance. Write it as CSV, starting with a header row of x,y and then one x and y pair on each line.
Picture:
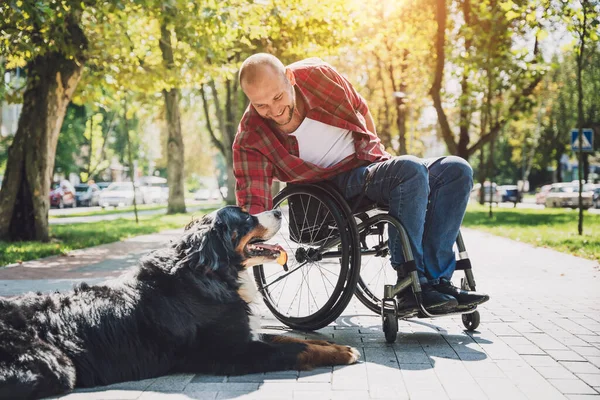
x,y
24,197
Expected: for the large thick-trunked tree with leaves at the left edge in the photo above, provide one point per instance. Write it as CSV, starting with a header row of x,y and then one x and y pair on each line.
x,y
49,40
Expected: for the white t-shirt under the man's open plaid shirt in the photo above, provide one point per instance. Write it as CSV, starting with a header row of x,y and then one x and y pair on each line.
x,y
321,144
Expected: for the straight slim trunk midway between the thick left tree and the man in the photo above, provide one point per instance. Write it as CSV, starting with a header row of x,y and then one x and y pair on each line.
x,y
175,149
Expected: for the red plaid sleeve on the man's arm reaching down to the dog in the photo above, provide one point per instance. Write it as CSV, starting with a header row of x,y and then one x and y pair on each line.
x,y
253,178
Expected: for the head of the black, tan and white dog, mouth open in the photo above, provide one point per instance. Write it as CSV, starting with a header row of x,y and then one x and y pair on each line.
x,y
230,237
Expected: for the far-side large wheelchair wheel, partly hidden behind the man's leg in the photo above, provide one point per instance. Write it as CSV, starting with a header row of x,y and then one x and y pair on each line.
x,y
376,269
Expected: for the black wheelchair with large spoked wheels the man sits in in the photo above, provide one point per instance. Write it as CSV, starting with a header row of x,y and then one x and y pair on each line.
x,y
335,252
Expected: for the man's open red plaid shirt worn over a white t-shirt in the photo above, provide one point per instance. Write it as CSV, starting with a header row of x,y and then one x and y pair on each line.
x,y
261,153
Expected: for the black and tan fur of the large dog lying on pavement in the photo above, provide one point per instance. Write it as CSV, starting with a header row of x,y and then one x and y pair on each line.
x,y
178,311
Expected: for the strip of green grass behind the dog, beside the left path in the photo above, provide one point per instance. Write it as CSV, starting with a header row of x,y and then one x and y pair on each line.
x,y
77,236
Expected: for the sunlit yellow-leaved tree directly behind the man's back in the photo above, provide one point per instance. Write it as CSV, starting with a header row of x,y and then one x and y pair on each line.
x,y
392,70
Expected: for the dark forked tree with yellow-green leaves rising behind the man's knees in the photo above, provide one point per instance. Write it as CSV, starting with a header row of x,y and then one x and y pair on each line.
x,y
488,47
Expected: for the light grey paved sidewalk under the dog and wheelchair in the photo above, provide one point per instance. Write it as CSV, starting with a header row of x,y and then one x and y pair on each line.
x,y
539,336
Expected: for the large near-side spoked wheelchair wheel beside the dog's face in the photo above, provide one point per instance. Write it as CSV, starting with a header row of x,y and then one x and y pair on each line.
x,y
323,260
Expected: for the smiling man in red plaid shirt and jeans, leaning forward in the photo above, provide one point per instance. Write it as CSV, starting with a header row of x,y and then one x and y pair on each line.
x,y
306,123
